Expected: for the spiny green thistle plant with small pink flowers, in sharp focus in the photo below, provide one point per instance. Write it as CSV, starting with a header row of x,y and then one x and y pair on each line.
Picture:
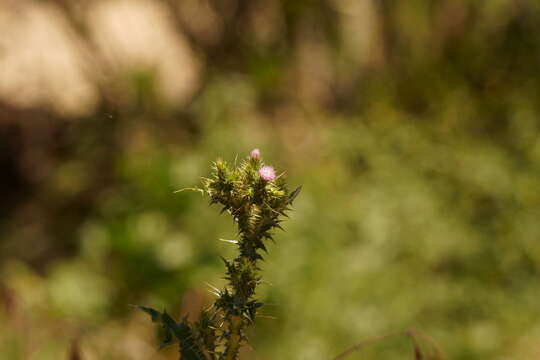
x,y
257,200
